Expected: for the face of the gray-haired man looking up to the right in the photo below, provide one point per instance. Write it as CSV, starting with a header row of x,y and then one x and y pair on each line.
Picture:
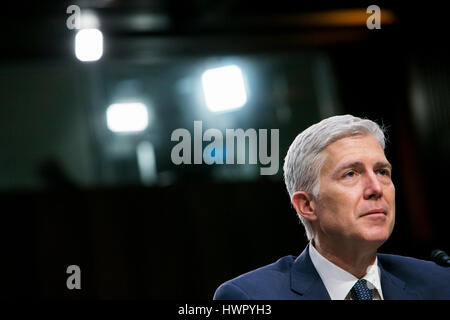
x,y
355,179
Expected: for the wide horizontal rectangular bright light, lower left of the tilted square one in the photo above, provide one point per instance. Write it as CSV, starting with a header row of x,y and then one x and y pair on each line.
x,y
127,117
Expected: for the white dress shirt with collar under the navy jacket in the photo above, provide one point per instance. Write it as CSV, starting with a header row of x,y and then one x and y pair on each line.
x,y
339,282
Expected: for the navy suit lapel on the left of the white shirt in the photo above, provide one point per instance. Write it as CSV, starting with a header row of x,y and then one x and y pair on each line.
x,y
305,280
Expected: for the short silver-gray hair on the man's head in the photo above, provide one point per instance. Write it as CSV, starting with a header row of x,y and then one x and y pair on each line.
x,y
305,158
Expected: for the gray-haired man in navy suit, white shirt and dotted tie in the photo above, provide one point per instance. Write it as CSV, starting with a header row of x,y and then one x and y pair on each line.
x,y
339,182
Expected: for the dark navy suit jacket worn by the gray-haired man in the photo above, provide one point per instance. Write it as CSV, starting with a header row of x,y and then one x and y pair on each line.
x,y
291,278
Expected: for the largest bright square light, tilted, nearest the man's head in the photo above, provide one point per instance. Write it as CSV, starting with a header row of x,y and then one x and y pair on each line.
x,y
224,88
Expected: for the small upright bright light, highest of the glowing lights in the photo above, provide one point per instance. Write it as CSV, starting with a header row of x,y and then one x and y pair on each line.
x,y
89,44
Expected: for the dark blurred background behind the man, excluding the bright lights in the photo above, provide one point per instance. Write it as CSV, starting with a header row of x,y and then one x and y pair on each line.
x,y
70,189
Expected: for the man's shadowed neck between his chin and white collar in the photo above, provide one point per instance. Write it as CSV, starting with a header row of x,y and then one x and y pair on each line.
x,y
354,260
